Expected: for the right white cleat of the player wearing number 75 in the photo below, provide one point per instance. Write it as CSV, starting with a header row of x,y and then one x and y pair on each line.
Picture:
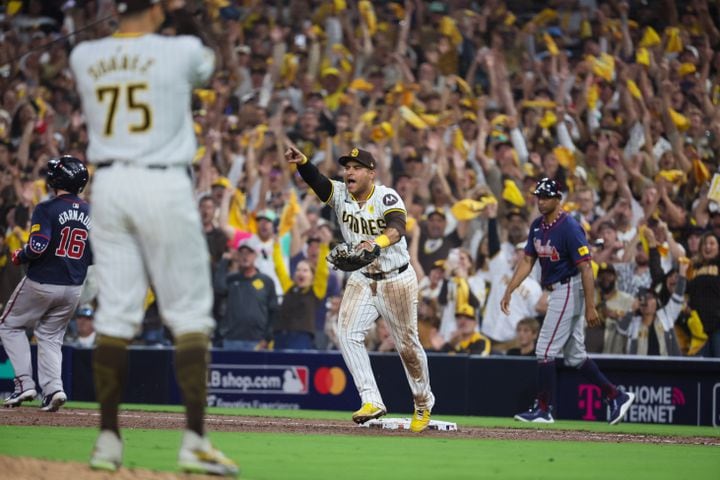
x,y
197,455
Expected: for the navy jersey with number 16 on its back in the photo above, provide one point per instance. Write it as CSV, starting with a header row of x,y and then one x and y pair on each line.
x,y
58,250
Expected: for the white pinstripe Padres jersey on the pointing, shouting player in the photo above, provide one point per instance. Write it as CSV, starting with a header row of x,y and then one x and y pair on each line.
x,y
359,223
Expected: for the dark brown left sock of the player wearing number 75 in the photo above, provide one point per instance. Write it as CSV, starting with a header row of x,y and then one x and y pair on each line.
x,y
110,365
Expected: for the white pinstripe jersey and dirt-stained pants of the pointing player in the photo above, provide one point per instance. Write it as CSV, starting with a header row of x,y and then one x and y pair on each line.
x,y
393,297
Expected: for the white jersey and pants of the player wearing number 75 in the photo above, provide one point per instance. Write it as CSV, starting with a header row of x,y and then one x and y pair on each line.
x,y
135,92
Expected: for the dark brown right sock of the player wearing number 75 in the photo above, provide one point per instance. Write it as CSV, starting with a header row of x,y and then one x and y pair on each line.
x,y
191,363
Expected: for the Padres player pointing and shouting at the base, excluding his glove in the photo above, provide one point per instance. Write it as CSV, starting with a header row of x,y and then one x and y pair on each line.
x,y
374,216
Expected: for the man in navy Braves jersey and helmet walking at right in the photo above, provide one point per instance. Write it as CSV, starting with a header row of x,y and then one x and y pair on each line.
x,y
560,243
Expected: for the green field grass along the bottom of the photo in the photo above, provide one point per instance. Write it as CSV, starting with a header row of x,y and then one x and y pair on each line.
x,y
279,455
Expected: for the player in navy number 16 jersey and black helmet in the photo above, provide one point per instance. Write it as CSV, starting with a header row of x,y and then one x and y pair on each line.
x,y
57,256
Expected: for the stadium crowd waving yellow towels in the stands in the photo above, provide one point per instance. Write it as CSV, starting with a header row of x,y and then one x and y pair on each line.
x,y
464,105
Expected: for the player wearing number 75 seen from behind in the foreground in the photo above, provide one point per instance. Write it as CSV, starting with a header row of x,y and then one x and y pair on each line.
x,y
135,88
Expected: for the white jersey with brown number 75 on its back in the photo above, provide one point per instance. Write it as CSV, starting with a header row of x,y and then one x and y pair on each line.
x,y
135,92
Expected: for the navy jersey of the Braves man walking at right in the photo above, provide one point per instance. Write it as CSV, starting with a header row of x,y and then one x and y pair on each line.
x,y
560,246
